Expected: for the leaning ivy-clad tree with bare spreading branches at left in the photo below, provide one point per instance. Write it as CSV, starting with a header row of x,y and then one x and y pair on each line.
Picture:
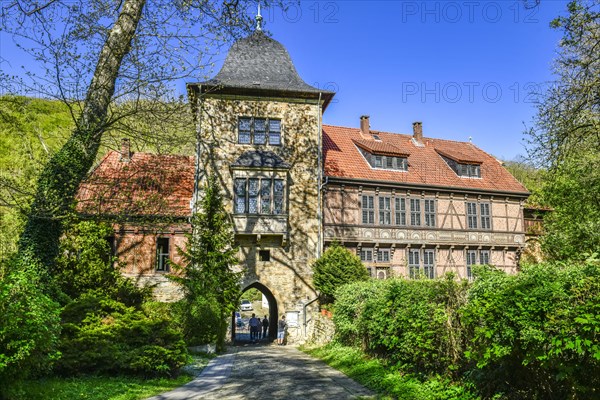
x,y
142,50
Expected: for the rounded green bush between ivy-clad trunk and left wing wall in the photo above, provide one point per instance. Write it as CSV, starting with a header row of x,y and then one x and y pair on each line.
x,y
85,264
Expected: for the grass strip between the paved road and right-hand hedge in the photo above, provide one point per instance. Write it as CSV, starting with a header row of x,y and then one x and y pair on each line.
x,y
387,382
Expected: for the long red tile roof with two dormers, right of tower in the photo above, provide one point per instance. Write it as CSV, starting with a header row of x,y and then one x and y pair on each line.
x,y
425,165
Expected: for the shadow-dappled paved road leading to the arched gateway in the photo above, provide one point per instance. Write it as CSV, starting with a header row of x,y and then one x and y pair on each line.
x,y
268,372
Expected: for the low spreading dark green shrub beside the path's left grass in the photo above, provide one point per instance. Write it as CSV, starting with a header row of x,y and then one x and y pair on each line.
x,y
104,336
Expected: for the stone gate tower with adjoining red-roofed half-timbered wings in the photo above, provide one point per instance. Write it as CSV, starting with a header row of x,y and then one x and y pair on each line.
x,y
408,205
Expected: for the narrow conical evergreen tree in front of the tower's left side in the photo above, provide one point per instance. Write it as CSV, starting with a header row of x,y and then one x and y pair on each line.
x,y
208,279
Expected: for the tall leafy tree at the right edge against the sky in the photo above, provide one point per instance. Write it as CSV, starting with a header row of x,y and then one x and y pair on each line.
x,y
566,138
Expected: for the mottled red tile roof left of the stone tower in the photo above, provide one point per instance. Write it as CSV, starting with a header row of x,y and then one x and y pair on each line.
x,y
148,184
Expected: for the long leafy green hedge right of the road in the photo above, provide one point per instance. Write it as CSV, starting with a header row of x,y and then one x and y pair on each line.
x,y
531,335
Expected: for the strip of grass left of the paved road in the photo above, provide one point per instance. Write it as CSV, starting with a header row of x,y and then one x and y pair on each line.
x,y
94,388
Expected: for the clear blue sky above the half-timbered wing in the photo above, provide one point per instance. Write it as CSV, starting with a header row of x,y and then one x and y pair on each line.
x,y
463,68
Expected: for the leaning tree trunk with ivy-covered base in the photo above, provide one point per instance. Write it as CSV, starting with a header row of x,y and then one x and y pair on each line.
x,y
60,178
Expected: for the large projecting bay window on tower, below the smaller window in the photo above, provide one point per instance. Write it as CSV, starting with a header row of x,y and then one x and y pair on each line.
x,y
258,196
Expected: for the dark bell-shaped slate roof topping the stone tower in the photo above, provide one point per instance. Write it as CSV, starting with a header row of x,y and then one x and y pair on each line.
x,y
258,64
